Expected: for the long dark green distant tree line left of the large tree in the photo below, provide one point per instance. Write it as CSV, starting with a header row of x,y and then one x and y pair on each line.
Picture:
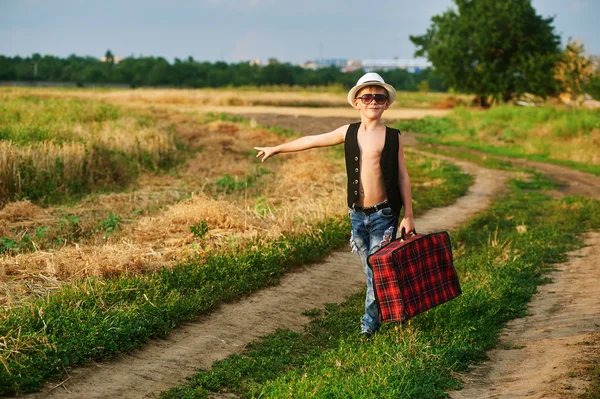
x,y
157,71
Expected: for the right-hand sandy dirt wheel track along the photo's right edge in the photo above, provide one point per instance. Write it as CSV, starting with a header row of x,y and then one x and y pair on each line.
x,y
541,356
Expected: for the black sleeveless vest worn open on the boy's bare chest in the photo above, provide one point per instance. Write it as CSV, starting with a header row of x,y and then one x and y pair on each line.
x,y
388,163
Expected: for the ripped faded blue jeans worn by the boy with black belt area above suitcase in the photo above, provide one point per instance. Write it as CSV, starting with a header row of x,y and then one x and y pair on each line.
x,y
369,233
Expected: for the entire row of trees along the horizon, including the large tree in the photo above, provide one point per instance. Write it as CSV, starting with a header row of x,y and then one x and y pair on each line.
x,y
497,50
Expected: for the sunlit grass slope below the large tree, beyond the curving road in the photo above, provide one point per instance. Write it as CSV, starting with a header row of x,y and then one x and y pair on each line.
x,y
569,137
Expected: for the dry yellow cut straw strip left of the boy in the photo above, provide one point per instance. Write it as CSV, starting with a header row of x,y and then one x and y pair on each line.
x,y
292,198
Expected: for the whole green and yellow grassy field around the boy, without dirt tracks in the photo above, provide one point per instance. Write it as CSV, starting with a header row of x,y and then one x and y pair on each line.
x,y
145,209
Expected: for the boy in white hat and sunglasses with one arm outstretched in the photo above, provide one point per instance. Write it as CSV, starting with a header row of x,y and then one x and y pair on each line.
x,y
378,182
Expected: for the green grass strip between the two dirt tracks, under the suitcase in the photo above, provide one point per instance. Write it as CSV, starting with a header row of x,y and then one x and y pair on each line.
x,y
499,268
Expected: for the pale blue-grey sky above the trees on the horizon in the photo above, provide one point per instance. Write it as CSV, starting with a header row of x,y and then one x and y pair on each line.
x,y
233,31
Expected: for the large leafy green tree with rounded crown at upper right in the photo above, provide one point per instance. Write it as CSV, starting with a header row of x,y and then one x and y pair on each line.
x,y
494,49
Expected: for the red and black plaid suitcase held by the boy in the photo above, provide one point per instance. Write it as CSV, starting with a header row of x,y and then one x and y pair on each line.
x,y
413,275
